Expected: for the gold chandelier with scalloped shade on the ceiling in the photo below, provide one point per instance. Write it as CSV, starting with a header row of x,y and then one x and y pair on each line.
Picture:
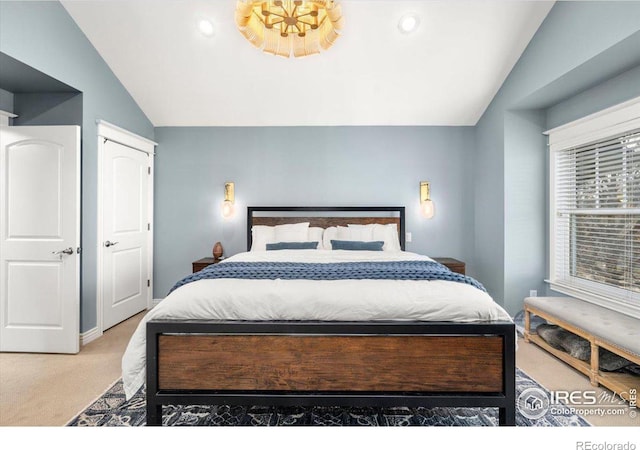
x,y
290,27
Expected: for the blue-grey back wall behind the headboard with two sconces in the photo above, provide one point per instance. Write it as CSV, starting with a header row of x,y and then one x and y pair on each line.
x,y
332,166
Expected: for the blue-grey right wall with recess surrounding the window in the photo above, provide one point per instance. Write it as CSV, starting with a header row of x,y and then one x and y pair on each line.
x,y
571,68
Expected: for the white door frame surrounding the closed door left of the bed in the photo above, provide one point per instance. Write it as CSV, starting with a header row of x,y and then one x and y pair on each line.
x,y
114,133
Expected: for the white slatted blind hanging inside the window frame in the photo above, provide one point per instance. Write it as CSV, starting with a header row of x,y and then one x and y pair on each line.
x,y
596,233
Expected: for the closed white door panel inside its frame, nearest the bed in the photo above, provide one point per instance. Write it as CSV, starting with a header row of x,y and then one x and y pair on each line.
x,y
125,217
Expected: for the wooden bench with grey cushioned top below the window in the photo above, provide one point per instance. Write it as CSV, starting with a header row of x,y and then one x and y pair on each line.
x,y
602,327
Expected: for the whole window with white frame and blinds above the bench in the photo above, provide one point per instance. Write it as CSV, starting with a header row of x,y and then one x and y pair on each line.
x,y
595,208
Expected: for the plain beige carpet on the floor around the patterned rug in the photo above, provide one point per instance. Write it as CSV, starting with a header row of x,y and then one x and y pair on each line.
x,y
49,390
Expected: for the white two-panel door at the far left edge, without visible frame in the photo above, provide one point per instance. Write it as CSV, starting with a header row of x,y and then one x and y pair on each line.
x,y
40,237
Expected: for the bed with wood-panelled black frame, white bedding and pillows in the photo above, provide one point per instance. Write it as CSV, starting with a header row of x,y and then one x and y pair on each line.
x,y
327,341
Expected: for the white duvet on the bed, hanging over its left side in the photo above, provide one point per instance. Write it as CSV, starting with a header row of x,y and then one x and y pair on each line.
x,y
339,300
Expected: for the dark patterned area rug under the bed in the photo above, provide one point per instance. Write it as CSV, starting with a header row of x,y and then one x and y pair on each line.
x,y
111,409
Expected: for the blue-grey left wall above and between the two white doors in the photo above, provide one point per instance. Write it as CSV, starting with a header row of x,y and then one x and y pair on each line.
x,y
43,36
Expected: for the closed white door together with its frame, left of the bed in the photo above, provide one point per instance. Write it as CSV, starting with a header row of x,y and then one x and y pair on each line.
x,y
125,224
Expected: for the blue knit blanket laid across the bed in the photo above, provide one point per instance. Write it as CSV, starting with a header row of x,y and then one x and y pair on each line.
x,y
367,270
